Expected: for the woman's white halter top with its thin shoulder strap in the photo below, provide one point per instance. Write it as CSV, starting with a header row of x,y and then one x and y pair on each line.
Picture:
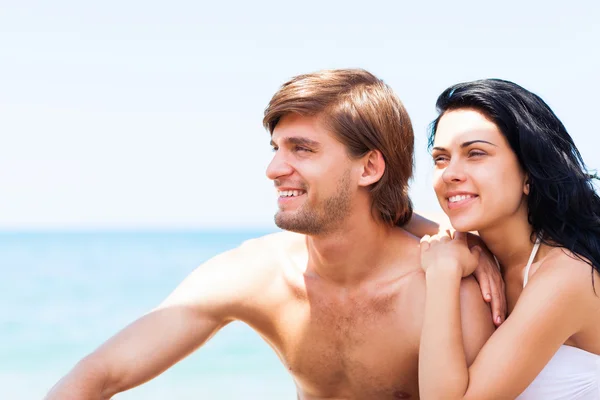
x,y
572,374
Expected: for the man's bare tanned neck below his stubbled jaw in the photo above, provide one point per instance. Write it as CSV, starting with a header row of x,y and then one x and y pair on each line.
x,y
352,253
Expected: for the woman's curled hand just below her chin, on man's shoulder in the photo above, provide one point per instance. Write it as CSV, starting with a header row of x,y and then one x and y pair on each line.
x,y
444,252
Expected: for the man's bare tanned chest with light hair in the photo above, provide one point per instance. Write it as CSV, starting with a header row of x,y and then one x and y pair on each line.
x,y
349,346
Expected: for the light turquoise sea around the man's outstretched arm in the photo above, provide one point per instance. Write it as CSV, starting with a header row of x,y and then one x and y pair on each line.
x,y
63,294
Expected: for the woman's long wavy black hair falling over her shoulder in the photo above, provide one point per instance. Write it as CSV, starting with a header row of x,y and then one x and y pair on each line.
x,y
562,203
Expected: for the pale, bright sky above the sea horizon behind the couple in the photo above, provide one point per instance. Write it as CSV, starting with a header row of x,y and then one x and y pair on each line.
x,y
147,115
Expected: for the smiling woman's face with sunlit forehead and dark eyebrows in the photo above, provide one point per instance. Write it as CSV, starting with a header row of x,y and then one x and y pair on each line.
x,y
477,177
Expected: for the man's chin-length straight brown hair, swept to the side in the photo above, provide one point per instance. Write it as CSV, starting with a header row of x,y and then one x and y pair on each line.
x,y
364,114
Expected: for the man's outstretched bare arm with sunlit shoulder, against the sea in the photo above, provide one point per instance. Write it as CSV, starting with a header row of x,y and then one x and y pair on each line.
x,y
203,303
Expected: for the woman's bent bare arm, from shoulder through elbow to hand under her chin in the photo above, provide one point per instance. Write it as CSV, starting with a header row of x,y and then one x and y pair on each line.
x,y
547,314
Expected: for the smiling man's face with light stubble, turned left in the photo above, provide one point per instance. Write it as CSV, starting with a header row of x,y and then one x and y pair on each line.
x,y
312,174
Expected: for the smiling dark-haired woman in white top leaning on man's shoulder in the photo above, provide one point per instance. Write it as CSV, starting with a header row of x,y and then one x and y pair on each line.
x,y
506,167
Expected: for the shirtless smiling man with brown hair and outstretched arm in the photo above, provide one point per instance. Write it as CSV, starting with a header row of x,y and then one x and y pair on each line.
x,y
340,296
